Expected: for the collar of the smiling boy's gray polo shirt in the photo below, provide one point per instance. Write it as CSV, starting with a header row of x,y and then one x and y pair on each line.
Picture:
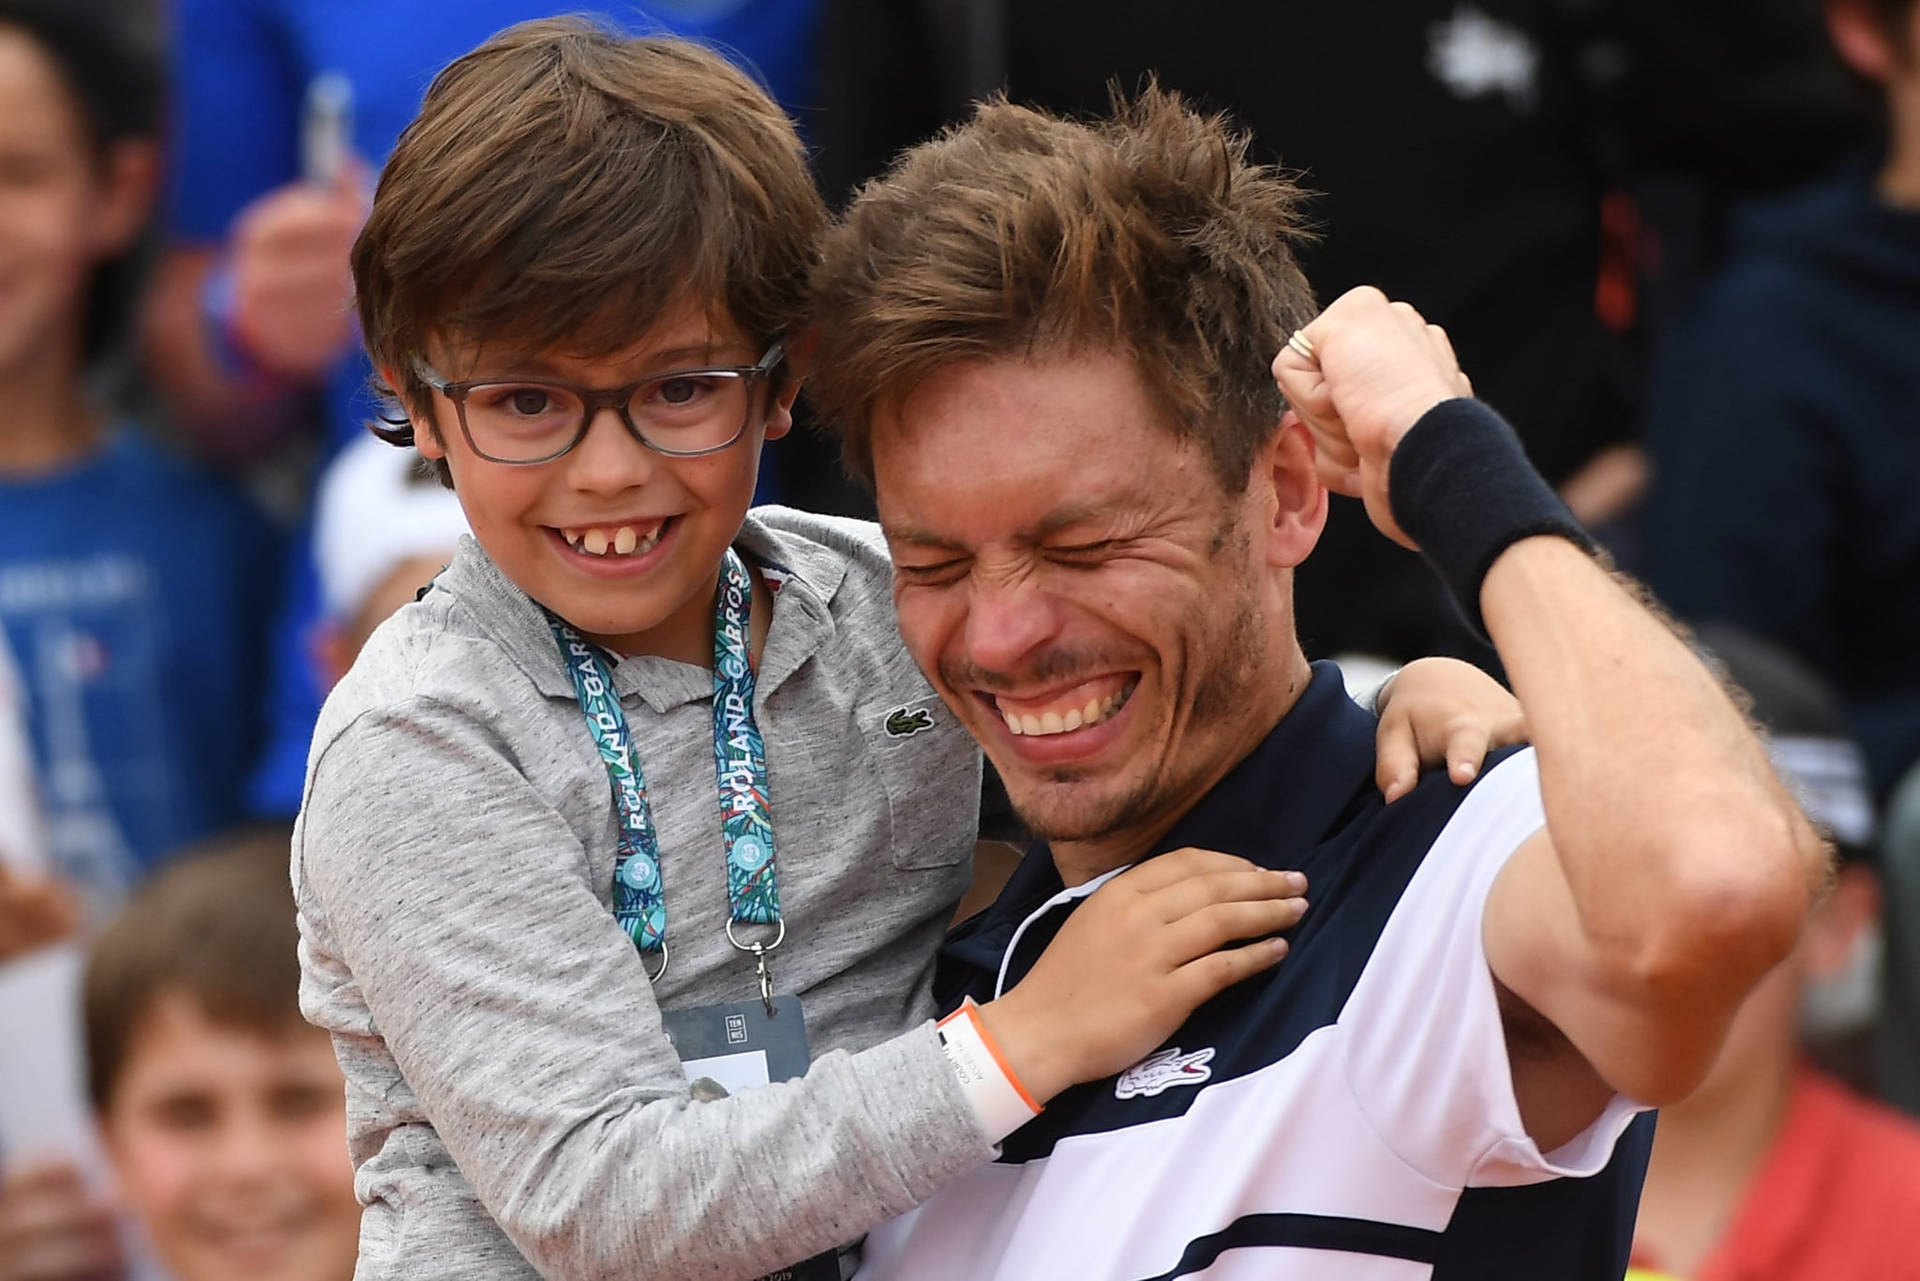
x,y
804,579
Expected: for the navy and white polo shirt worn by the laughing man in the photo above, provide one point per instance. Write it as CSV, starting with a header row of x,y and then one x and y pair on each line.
x,y
1347,1117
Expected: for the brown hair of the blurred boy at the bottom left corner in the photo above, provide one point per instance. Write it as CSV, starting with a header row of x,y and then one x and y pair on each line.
x,y
216,925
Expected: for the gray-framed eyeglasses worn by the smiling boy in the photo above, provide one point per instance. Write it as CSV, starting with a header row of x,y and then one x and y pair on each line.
x,y
684,412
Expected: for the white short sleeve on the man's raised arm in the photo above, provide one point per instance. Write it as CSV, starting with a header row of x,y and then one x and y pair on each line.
x,y
1426,1046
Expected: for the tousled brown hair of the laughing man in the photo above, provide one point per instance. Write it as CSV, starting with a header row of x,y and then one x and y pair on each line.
x,y
1019,231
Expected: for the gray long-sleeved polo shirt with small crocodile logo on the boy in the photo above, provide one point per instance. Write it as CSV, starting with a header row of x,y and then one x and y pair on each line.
x,y
510,1090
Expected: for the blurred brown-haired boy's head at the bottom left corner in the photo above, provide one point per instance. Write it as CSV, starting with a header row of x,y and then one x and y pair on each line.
x,y
222,1109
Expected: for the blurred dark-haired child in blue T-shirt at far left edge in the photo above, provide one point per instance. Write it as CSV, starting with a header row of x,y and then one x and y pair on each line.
x,y
132,589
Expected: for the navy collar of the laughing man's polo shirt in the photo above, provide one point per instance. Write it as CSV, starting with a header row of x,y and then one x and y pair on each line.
x,y
1276,806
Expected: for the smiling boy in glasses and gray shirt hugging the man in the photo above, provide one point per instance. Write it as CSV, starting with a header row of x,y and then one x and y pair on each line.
x,y
581,276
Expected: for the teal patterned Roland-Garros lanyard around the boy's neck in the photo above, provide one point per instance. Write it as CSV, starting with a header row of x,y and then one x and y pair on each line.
x,y
740,767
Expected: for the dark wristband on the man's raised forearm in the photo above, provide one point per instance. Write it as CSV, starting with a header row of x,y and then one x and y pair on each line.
x,y
1462,489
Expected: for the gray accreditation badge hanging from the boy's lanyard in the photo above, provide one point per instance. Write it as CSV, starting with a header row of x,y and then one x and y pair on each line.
x,y
727,1050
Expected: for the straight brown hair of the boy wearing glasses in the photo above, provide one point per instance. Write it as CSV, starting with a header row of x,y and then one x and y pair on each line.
x,y
565,185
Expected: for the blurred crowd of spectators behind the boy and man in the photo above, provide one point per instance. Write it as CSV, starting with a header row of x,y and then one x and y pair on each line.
x,y
1677,243
